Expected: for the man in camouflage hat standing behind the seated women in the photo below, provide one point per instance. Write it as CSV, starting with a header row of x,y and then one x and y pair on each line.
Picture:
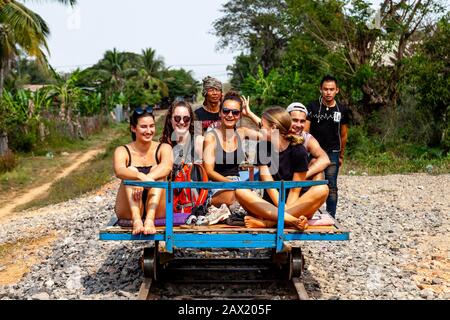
x,y
208,114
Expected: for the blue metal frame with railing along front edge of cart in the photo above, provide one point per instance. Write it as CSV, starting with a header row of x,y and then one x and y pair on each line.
x,y
232,240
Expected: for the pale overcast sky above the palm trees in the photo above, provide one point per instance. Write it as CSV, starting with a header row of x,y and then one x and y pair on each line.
x,y
179,31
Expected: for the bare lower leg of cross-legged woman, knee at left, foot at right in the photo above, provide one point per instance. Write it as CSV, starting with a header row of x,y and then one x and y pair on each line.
x,y
265,210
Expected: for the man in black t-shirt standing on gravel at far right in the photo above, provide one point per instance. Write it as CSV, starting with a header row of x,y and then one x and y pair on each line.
x,y
328,122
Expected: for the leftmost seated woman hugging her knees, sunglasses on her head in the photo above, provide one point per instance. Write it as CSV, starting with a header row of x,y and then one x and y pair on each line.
x,y
144,160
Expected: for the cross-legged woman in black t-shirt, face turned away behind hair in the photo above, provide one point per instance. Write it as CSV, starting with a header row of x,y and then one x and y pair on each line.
x,y
281,156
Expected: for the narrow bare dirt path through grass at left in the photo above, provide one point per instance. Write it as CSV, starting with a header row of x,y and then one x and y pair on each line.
x,y
41,190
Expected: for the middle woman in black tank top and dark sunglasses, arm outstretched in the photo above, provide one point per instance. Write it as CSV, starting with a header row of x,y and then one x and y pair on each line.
x,y
223,149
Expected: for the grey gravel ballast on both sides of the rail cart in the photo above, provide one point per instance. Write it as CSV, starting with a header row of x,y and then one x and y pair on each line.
x,y
399,246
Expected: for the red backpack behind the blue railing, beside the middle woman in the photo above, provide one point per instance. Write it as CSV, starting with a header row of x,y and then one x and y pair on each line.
x,y
184,200
